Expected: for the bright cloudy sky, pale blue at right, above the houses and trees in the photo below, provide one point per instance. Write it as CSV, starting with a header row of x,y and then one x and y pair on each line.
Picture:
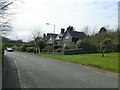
x,y
34,14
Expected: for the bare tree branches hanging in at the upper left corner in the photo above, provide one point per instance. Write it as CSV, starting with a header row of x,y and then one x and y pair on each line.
x,y
5,16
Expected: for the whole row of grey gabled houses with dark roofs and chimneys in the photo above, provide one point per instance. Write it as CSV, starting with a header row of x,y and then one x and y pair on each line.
x,y
64,38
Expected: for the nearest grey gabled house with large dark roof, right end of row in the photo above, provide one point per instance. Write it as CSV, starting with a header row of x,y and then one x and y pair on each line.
x,y
71,36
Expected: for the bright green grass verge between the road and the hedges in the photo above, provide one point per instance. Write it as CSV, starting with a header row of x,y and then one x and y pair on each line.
x,y
109,62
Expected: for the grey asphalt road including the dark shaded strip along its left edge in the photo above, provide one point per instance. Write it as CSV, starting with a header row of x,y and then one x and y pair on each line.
x,y
30,71
